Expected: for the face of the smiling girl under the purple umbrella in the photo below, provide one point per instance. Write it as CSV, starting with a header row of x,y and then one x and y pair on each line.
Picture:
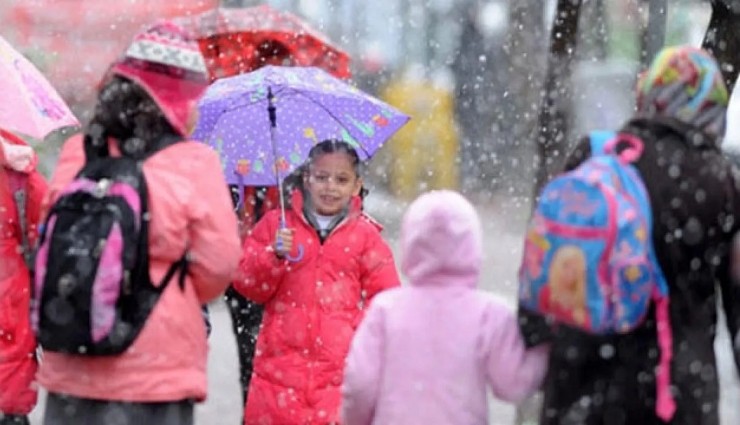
x,y
331,182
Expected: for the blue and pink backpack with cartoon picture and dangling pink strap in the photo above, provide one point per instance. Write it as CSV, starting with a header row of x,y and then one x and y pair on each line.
x,y
589,262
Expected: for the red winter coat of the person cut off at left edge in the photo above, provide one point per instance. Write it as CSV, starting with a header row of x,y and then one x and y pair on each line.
x,y
17,342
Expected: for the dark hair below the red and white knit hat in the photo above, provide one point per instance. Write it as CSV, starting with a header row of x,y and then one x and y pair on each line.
x,y
126,112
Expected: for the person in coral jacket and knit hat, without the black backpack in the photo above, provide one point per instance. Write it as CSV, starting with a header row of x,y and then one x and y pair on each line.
x,y
160,376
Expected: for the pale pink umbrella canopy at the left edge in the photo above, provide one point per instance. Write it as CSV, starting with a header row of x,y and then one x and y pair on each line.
x,y
30,104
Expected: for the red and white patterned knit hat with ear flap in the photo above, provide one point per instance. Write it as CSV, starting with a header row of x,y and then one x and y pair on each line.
x,y
166,62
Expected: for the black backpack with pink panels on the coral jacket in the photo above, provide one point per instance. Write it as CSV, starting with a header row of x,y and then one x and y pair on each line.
x,y
92,290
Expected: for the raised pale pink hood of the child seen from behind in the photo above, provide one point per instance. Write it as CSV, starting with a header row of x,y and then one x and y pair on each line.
x,y
441,241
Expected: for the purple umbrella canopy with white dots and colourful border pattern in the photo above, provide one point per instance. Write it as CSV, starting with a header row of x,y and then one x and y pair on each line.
x,y
310,105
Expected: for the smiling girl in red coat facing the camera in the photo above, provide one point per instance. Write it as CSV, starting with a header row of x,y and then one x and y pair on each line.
x,y
315,279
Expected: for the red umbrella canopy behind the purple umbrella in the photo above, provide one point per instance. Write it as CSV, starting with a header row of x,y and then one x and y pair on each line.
x,y
241,40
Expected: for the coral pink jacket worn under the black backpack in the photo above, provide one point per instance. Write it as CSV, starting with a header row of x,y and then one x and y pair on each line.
x,y
190,209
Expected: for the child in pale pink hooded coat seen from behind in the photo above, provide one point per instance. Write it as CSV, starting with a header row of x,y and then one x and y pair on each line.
x,y
424,354
